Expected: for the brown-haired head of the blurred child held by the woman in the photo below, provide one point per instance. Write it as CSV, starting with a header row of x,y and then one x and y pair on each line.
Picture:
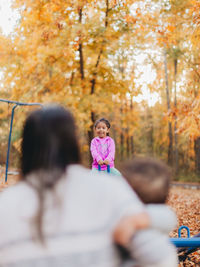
x,y
150,179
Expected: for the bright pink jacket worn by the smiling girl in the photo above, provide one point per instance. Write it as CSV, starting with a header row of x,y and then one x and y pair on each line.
x,y
101,149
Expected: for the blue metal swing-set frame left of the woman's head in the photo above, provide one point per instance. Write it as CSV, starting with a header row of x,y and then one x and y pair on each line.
x,y
16,103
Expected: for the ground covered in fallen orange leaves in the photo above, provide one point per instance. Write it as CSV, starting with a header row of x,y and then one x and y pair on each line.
x,y
186,204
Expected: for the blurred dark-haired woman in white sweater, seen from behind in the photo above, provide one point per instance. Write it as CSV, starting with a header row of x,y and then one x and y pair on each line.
x,y
60,213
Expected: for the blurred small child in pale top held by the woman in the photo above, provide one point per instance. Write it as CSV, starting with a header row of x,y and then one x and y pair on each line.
x,y
150,179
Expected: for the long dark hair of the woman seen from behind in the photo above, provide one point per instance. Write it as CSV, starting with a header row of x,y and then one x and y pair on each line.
x,y
49,145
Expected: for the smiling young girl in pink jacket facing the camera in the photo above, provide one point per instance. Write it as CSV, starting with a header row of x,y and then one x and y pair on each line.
x,y
103,147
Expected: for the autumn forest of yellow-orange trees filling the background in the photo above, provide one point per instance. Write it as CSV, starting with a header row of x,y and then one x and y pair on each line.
x,y
86,56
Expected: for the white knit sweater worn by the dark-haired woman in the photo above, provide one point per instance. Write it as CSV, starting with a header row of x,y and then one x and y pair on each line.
x,y
80,215
